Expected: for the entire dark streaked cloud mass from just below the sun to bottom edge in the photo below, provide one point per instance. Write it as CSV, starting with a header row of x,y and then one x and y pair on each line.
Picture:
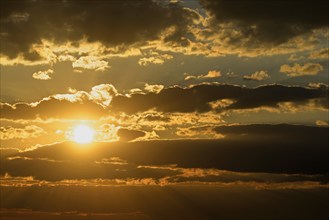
x,y
63,176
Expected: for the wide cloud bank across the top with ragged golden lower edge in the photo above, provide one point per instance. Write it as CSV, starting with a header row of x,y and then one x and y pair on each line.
x,y
165,28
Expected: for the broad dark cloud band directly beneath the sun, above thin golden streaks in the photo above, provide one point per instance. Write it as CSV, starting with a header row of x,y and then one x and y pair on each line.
x,y
250,148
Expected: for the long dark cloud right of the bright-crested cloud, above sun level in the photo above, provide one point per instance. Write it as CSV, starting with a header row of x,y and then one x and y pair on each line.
x,y
197,98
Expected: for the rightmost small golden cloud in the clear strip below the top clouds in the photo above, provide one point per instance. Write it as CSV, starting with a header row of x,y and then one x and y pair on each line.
x,y
301,70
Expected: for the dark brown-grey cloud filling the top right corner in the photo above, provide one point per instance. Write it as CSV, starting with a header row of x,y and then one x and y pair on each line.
x,y
271,22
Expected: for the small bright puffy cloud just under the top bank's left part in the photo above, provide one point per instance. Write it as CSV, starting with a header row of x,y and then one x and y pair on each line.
x,y
90,63
